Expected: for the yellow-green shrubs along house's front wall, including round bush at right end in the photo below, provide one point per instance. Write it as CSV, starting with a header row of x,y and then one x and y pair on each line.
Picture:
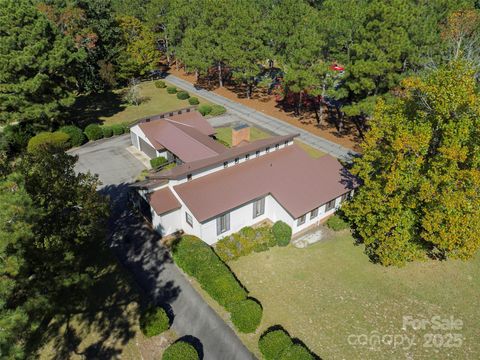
x,y
249,240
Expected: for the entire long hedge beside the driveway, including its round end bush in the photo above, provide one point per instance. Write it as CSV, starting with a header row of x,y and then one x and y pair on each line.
x,y
199,260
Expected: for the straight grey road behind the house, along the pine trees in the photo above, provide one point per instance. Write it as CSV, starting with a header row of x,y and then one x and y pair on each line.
x,y
267,122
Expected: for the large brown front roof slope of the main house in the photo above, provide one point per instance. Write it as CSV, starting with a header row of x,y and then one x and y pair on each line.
x,y
297,181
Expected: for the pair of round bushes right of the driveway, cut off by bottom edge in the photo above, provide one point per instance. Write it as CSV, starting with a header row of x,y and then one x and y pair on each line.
x,y
278,345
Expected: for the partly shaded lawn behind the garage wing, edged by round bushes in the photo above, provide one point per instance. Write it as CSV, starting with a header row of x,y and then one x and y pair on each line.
x,y
109,107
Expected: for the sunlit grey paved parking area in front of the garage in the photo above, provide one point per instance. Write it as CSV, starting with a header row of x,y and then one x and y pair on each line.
x,y
110,159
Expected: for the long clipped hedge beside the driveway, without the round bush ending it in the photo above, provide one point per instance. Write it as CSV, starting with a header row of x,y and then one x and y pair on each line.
x,y
199,260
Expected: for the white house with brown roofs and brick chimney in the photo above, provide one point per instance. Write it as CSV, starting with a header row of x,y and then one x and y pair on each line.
x,y
213,193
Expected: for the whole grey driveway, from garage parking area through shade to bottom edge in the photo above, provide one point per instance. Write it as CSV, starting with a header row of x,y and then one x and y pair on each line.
x,y
138,248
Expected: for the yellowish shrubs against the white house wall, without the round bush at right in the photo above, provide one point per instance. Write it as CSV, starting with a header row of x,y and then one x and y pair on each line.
x,y
244,242
